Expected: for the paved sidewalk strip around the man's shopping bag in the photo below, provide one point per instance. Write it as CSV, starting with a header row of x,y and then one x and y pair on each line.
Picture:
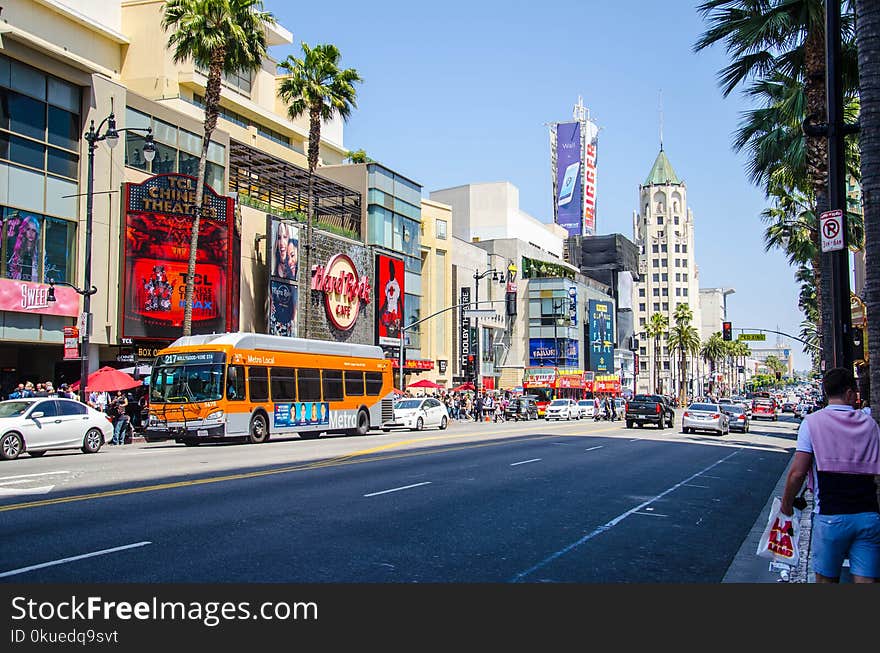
x,y
747,567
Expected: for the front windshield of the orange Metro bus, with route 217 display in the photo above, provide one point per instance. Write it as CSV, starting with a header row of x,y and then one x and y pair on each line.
x,y
187,378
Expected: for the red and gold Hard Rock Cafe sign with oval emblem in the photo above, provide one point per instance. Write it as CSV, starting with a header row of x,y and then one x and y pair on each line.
x,y
344,290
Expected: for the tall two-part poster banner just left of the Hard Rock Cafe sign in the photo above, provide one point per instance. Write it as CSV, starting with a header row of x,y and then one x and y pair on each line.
x,y
283,264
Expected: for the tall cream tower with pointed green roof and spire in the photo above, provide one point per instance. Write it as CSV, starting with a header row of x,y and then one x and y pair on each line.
x,y
663,230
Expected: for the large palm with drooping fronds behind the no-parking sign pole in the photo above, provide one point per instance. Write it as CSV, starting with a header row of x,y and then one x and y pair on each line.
x,y
781,45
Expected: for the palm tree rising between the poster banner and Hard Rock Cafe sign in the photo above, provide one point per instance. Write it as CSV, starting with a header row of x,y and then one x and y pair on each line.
x,y
316,86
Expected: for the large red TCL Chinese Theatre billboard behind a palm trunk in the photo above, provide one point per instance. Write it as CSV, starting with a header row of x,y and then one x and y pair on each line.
x,y
156,238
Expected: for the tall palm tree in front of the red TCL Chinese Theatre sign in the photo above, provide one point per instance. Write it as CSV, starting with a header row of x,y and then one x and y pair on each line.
x,y
223,37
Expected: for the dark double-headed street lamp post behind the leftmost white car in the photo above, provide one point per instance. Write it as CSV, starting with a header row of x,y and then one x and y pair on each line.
x,y
93,137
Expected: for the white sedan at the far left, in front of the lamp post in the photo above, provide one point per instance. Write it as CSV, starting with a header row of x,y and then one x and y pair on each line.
x,y
39,424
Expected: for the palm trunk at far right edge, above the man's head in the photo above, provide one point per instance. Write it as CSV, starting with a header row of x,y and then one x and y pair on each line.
x,y
868,42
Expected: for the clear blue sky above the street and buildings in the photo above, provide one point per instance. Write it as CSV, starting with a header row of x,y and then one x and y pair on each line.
x,y
459,92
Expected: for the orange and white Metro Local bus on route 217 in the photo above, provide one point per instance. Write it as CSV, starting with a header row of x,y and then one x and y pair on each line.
x,y
253,386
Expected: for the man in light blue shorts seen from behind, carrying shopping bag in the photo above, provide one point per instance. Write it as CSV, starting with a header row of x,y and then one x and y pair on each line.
x,y
838,453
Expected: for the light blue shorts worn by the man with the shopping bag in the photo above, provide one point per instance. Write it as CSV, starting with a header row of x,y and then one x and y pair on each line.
x,y
857,537
